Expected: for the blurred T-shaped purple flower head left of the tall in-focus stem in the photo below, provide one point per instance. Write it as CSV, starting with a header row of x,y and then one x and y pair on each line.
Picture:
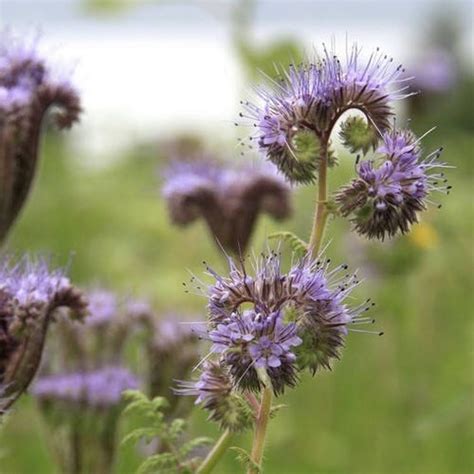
x,y
229,199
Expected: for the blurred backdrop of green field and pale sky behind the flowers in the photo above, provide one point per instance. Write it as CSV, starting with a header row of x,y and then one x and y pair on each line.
x,y
152,72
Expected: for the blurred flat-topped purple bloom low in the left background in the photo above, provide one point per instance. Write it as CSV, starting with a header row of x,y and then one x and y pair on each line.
x,y
95,389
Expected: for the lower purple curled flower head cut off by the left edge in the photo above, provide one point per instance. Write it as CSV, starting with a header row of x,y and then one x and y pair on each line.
x,y
30,292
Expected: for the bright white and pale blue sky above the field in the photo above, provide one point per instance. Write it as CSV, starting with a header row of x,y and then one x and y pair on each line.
x,y
167,67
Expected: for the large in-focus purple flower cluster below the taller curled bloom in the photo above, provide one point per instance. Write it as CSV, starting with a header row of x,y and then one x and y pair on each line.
x,y
270,325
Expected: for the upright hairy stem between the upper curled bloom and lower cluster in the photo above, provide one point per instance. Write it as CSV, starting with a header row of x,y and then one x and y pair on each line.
x,y
321,211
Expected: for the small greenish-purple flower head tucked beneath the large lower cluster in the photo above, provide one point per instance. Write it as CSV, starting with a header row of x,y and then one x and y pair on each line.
x,y
214,392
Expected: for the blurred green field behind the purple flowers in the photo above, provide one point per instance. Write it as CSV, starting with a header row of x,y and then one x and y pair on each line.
x,y
401,403
